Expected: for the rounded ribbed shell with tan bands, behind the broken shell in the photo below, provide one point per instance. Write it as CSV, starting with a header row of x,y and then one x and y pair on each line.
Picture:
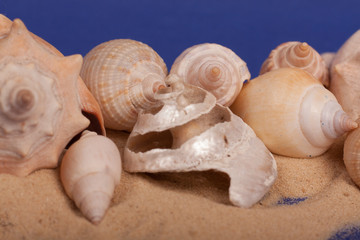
x,y
123,75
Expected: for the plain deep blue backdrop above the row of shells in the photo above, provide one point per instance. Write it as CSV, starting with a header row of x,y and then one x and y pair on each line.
x,y
250,28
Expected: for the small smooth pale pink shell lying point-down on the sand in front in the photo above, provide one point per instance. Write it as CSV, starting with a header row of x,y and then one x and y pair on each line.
x,y
90,170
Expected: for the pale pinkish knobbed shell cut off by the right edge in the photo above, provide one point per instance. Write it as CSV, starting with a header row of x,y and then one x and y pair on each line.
x,y
345,75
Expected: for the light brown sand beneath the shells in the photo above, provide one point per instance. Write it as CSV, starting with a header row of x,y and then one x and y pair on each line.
x,y
311,199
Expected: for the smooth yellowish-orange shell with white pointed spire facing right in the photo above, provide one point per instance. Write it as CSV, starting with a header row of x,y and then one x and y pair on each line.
x,y
292,113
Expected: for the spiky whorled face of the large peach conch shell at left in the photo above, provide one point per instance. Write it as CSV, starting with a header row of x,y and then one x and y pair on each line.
x,y
39,104
